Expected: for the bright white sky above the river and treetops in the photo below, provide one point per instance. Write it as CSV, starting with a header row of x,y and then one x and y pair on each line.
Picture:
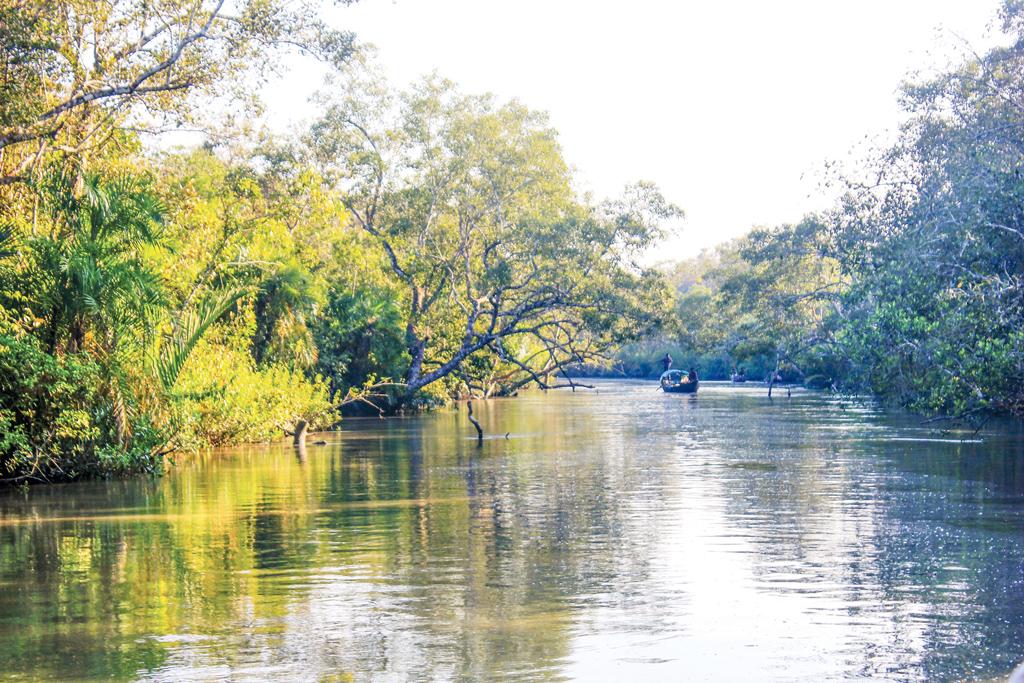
x,y
732,108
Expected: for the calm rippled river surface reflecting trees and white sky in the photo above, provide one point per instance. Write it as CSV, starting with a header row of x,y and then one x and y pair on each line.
x,y
615,536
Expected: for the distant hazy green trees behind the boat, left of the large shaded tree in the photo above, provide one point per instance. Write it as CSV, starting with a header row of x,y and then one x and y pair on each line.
x,y
763,304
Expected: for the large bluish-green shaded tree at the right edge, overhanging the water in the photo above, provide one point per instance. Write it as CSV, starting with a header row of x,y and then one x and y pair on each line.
x,y
936,244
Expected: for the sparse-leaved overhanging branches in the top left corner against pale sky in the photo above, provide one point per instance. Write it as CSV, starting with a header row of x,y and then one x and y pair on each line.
x,y
72,73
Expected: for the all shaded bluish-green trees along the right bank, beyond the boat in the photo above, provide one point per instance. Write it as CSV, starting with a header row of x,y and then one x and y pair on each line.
x,y
913,287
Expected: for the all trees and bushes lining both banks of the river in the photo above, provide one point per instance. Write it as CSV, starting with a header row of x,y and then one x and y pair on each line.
x,y
411,246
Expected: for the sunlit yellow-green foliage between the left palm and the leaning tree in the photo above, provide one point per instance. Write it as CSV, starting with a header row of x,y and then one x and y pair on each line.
x,y
251,239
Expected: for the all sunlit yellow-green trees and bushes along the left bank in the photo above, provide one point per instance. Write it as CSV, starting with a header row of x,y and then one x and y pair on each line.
x,y
408,247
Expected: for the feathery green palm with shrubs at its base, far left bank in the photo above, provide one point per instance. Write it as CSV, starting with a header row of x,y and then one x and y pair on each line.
x,y
91,298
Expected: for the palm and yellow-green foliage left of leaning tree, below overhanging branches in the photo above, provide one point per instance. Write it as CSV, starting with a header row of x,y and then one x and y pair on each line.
x,y
97,287
